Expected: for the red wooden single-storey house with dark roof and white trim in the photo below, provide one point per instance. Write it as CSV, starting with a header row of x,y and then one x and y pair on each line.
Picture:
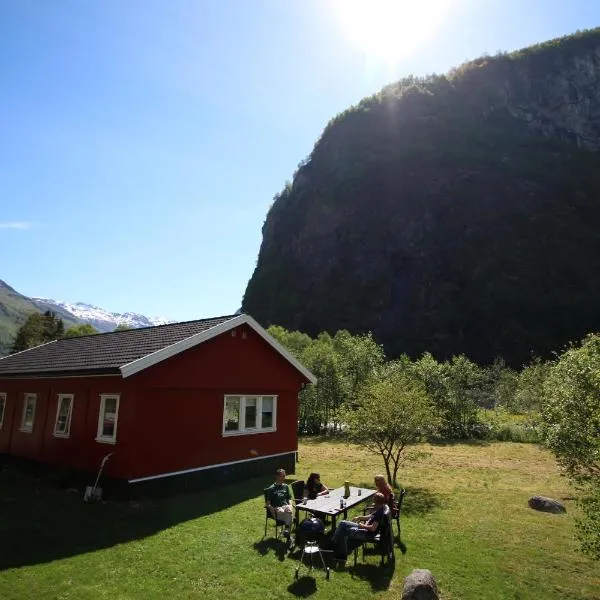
x,y
203,399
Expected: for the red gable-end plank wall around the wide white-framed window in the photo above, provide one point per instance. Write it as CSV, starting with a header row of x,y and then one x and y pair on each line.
x,y
181,399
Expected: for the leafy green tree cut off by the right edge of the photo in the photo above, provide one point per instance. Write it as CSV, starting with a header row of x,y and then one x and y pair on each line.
x,y
571,425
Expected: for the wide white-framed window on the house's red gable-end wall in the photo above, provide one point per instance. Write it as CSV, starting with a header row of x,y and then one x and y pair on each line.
x,y
249,414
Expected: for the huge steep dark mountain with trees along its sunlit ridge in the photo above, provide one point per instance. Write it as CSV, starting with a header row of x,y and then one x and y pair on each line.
x,y
454,213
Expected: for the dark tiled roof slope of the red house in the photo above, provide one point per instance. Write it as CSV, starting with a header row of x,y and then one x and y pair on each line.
x,y
102,353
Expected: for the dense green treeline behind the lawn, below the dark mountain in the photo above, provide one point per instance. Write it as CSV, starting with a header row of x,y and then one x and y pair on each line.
x,y
472,400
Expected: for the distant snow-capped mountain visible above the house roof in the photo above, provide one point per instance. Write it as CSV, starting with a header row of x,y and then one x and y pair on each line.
x,y
103,320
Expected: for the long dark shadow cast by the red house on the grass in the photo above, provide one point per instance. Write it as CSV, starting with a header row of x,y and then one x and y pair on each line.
x,y
40,523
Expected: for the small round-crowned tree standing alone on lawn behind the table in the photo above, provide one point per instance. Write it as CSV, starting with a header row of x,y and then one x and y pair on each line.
x,y
391,415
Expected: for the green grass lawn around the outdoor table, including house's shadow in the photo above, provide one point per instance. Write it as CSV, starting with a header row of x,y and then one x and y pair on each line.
x,y
466,518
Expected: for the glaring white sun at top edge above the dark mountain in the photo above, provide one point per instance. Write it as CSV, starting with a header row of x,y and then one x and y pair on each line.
x,y
390,29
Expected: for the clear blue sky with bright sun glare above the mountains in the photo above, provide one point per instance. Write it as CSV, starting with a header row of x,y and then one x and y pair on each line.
x,y
142,141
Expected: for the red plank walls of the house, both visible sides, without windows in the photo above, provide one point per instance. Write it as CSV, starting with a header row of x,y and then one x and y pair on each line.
x,y
170,415
